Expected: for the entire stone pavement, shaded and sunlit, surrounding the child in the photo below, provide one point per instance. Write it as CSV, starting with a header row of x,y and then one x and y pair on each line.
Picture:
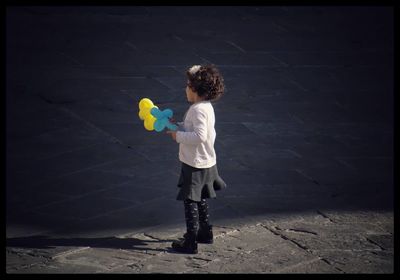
x,y
304,139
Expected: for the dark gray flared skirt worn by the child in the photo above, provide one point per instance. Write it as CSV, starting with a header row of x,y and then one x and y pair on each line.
x,y
199,183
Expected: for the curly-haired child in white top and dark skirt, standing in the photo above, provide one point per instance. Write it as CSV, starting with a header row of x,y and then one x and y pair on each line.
x,y
199,177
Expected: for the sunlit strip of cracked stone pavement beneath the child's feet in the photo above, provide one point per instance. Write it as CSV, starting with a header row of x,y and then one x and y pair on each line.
x,y
331,242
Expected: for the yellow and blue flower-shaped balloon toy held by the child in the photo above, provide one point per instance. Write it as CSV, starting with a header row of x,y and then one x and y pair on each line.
x,y
153,117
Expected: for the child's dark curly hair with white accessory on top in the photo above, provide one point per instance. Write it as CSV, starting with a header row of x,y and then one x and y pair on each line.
x,y
206,81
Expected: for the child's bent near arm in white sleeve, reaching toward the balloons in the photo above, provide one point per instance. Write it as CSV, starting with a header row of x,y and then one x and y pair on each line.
x,y
199,133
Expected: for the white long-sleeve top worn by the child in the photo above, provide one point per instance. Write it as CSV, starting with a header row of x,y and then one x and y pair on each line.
x,y
196,141
